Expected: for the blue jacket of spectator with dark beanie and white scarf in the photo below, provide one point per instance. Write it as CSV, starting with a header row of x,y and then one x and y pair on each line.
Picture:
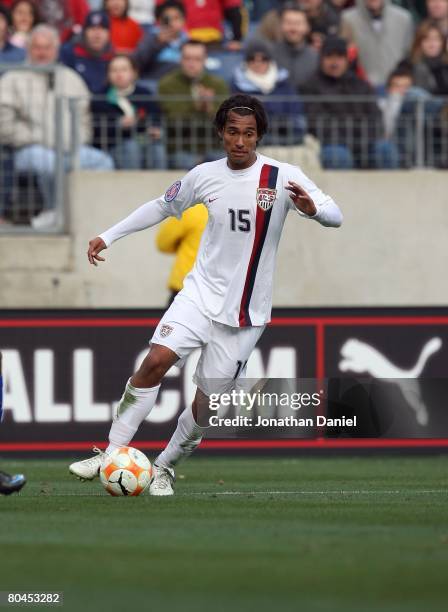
x,y
288,117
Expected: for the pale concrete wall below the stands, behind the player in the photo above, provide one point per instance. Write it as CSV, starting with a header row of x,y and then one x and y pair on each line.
x,y
391,250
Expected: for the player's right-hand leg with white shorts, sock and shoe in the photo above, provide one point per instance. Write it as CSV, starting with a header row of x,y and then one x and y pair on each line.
x,y
222,362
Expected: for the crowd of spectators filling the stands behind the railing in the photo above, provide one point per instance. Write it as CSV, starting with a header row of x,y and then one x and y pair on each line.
x,y
295,54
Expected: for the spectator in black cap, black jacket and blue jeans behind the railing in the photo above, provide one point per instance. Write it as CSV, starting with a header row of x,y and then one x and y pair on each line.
x,y
348,131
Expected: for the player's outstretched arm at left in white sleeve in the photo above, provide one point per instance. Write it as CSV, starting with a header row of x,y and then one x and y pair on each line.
x,y
180,196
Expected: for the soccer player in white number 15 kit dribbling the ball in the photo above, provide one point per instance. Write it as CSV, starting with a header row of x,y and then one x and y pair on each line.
x,y
226,300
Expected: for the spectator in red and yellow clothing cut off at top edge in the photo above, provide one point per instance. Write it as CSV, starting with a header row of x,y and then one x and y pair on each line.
x,y
205,21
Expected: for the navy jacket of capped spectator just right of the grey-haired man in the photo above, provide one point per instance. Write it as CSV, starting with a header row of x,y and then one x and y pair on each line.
x,y
91,67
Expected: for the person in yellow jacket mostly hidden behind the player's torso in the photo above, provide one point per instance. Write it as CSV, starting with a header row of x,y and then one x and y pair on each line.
x,y
182,237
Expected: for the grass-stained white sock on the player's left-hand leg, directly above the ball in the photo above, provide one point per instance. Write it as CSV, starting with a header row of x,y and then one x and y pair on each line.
x,y
134,407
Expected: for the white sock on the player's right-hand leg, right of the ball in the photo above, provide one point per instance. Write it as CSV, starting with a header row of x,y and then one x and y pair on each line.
x,y
183,442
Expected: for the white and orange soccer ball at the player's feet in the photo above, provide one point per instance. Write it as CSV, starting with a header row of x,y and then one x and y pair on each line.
x,y
126,471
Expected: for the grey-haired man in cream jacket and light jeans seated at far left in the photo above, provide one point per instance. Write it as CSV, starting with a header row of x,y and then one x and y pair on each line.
x,y
27,117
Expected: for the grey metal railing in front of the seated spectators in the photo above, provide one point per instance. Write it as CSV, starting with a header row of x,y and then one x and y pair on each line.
x,y
348,132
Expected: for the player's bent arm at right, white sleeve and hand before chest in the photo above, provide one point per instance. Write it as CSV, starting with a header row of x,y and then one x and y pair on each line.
x,y
310,202
